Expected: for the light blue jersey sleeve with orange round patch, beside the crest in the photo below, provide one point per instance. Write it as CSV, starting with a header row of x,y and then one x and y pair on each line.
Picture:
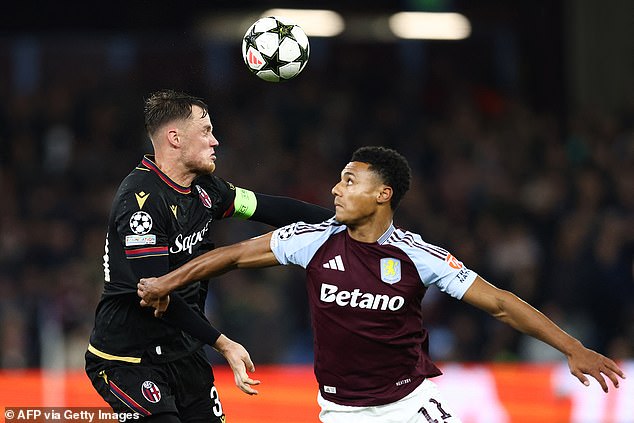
x,y
437,266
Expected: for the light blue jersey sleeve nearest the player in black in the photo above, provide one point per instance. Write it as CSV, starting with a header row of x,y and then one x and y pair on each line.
x,y
298,242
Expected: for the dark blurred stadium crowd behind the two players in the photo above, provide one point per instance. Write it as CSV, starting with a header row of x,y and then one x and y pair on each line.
x,y
536,201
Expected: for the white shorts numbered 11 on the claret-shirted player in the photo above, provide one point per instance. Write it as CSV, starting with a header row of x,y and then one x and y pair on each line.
x,y
423,405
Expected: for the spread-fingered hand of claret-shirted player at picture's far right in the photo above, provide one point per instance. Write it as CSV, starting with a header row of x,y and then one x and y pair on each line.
x,y
585,361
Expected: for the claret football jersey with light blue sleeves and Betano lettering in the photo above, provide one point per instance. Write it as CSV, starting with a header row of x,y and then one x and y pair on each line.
x,y
370,347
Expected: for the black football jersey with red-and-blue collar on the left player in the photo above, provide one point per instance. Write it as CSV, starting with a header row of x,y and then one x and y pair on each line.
x,y
155,226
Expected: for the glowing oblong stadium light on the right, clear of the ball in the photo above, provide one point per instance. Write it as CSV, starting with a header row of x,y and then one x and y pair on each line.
x,y
430,26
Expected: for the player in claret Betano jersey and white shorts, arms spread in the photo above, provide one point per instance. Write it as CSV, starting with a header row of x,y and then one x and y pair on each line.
x,y
366,279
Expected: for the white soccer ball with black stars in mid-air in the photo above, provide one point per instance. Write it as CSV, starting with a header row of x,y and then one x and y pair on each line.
x,y
275,49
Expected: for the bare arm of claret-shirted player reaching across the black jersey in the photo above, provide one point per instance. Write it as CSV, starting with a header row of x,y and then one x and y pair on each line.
x,y
253,253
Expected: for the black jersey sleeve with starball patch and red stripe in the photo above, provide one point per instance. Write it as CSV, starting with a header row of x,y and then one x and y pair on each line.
x,y
141,224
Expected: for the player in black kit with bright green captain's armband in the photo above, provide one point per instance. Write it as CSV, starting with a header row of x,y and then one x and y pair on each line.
x,y
162,217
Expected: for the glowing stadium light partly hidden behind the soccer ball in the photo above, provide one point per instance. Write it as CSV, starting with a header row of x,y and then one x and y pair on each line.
x,y
314,22
